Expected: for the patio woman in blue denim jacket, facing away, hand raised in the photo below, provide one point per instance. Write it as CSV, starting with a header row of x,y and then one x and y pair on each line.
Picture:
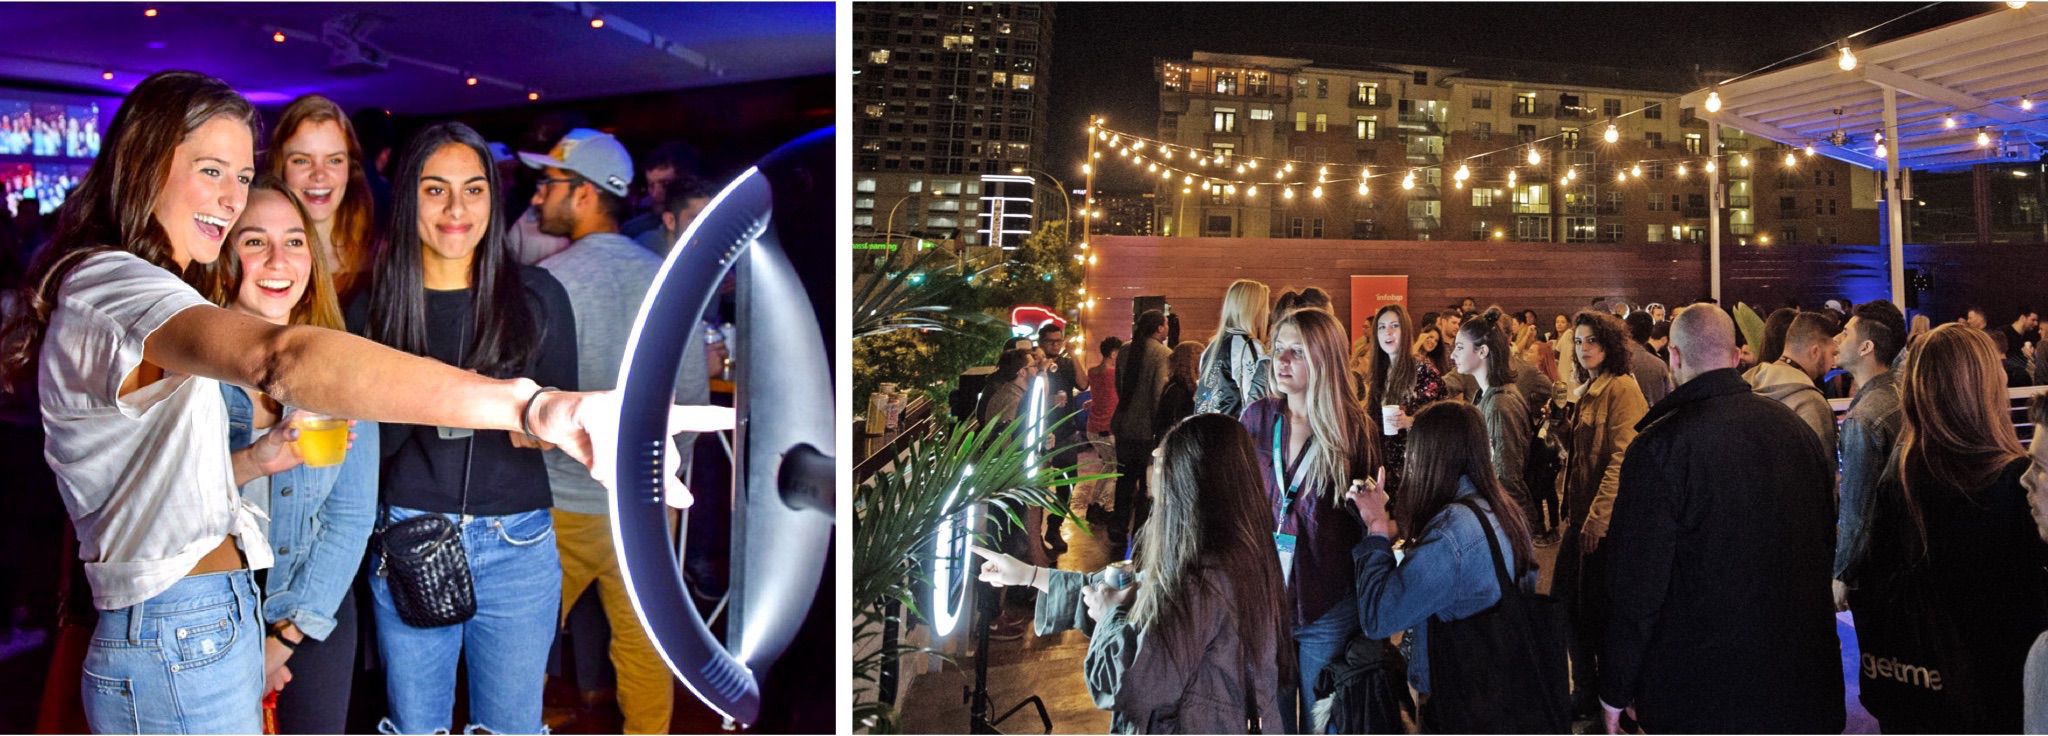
x,y
1449,569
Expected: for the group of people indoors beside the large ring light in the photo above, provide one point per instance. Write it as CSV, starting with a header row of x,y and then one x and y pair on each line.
x,y
204,304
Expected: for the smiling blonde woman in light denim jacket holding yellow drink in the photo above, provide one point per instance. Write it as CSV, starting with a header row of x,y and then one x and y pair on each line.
x,y
321,518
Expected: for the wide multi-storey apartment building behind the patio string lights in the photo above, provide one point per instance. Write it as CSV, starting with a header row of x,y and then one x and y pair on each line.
x,y
1273,132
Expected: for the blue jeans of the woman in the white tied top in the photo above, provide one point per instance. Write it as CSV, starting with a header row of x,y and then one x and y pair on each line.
x,y
187,661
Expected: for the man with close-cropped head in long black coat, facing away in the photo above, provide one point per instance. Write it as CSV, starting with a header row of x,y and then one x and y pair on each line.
x,y
1721,546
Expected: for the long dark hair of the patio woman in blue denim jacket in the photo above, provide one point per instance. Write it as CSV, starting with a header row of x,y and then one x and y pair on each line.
x,y
1449,444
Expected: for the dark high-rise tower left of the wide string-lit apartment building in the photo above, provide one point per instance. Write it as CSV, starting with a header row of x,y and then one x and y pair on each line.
x,y
945,93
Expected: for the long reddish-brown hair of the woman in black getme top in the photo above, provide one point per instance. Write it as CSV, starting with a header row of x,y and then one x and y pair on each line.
x,y
1957,417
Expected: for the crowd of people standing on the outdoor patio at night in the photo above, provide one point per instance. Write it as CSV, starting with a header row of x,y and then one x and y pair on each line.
x,y
1631,518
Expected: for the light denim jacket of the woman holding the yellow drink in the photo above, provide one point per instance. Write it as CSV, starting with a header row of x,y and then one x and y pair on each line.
x,y
321,522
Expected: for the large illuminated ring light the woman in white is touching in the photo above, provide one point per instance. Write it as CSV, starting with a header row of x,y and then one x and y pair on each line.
x,y
783,505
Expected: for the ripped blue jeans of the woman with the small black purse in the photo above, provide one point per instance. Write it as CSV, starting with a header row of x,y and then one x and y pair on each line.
x,y
519,594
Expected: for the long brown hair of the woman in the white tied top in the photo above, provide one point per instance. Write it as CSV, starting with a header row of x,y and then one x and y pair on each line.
x,y
112,208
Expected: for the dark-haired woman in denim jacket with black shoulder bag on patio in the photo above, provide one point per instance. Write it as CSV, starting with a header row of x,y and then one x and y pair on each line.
x,y
1445,520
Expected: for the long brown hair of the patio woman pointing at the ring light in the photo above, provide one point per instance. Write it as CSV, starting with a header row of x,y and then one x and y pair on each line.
x,y
1209,514
